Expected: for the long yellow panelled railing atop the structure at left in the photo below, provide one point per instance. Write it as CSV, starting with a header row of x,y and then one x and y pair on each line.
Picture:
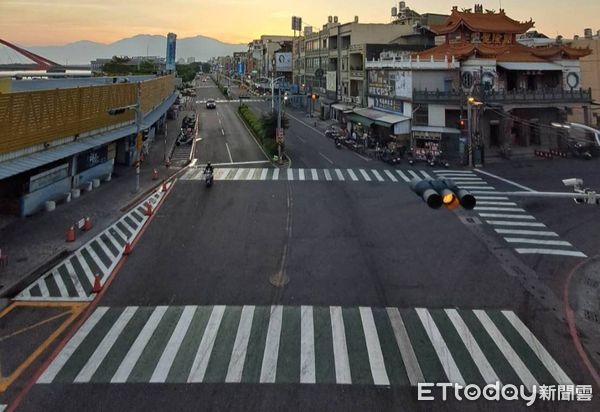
x,y
38,117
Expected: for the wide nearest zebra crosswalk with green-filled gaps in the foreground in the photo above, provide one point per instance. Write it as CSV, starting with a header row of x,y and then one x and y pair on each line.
x,y
303,344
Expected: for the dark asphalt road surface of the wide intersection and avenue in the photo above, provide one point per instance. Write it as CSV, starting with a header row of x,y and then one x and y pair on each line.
x,y
324,286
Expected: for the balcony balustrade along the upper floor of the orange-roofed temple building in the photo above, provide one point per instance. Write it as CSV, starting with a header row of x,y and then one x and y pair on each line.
x,y
514,97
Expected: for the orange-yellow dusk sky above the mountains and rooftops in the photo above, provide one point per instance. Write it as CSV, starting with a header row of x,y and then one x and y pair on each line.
x,y
57,22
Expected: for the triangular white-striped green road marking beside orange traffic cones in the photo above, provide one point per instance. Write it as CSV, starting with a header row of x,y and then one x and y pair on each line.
x,y
73,278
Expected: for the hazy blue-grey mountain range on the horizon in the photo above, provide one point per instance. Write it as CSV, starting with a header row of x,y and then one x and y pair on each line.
x,y
82,52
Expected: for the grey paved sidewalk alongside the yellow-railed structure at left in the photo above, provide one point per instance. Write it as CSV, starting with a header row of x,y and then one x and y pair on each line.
x,y
36,242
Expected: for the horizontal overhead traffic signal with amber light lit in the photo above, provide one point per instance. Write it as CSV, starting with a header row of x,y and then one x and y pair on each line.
x,y
442,192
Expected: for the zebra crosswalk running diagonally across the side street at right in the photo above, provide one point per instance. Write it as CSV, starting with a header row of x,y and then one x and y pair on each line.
x,y
518,228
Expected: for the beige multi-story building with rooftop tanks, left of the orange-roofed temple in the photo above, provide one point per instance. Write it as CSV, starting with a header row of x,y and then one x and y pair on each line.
x,y
331,61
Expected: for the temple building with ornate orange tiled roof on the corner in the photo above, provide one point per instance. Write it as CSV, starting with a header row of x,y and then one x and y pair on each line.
x,y
523,89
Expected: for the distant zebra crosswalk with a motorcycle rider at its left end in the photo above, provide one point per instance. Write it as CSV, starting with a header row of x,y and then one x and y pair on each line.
x,y
311,175
